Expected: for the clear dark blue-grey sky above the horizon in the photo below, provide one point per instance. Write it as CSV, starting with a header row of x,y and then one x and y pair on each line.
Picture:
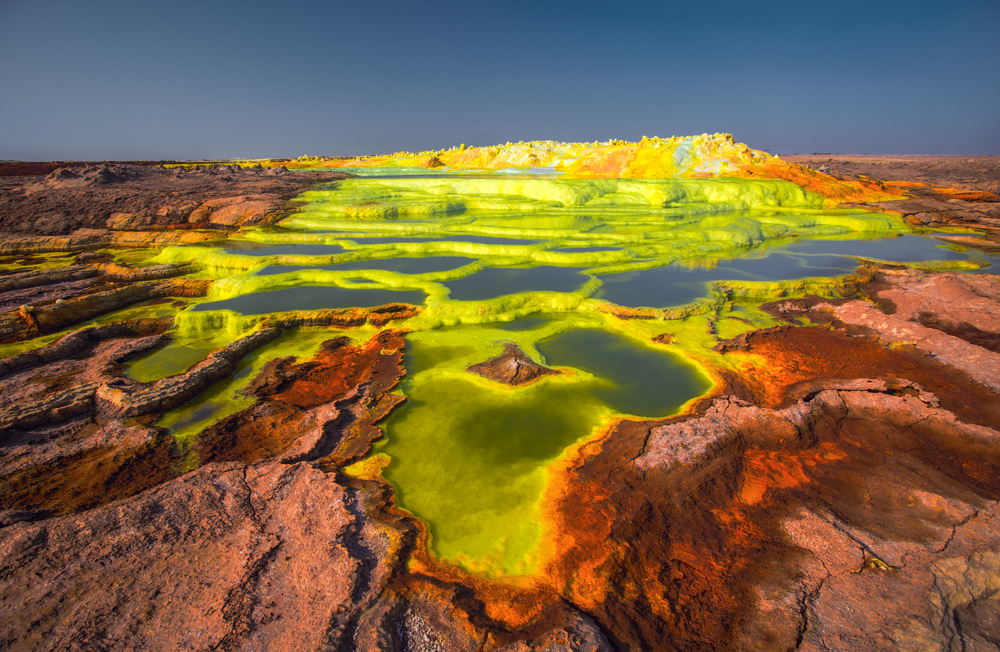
x,y
136,79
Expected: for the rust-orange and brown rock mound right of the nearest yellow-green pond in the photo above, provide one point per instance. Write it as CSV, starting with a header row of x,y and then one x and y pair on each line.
x,y
691,547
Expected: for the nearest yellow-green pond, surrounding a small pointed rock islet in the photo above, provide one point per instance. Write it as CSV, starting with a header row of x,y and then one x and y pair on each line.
x,y
469,455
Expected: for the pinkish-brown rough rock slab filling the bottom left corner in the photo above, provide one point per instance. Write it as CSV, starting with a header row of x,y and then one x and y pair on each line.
x,y
263,557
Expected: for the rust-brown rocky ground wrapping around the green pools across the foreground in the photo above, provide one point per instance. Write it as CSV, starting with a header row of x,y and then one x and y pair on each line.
x,y
844,496
